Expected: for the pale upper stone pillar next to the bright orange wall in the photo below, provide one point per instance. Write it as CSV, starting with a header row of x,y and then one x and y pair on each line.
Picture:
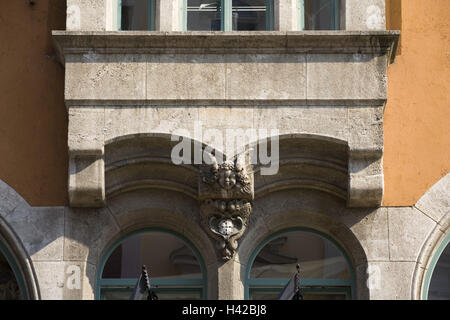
x,y
365,15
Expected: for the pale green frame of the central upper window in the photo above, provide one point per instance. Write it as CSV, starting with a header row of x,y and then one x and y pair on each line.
x,y
226,23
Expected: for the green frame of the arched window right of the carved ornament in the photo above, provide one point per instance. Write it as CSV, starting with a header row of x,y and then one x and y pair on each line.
x,y
345,286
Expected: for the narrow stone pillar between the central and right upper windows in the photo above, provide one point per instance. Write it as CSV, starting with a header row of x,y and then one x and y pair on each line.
x,y
286,15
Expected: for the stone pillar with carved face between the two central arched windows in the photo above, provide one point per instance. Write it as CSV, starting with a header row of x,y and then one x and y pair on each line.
x,y
226,195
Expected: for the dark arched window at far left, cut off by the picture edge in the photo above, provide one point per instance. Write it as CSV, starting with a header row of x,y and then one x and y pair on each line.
x,y
11,282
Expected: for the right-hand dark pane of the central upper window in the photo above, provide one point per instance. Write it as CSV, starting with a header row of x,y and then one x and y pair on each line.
x,y
249,15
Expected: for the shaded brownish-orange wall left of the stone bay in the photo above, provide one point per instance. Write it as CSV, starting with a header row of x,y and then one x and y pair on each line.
x,y
33,117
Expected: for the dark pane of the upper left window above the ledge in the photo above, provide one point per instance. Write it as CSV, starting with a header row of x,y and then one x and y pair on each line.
x,y
135,15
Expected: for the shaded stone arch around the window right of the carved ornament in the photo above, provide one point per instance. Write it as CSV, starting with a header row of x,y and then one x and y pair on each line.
x,y
315,210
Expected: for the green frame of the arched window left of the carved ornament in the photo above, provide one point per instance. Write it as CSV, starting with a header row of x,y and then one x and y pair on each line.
x,y
168,285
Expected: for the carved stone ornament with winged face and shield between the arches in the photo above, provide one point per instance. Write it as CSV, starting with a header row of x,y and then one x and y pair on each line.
x,y
226,192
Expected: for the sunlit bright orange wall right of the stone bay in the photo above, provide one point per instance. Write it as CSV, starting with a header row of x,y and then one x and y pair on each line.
x,y
417,116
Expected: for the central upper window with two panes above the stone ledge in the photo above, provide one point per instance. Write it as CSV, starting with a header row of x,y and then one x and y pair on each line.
x,y
227,15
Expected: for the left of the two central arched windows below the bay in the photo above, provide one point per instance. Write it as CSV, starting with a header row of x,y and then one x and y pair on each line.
x,y
175,268
